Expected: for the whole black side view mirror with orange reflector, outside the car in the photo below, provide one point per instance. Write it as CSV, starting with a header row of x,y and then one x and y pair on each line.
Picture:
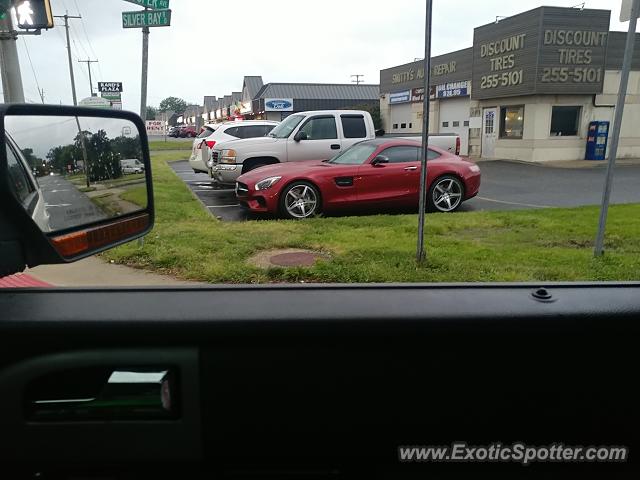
x,y
69,187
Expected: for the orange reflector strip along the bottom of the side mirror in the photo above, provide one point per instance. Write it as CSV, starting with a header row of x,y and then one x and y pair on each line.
x,y
73,244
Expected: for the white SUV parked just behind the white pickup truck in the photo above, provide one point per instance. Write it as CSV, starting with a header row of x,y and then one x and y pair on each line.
x,y
221,133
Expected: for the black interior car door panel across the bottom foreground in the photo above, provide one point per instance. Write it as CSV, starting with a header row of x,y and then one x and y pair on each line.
x,y
286,384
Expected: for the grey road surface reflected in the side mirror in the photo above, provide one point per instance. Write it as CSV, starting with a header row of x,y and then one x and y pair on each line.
x,y
67,206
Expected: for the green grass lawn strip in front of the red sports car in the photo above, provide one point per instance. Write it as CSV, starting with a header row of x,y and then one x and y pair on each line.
x,y
531,245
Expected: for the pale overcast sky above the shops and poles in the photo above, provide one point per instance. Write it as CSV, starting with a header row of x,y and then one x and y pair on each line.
x,y
212,44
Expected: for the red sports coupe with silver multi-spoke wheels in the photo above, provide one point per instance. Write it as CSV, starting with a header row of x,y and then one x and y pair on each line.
x,y
380,173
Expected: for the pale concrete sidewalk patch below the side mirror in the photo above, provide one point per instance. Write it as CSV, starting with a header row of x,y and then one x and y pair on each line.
x,y
94,272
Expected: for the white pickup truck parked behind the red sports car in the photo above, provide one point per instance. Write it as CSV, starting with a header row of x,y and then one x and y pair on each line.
x,y
316,135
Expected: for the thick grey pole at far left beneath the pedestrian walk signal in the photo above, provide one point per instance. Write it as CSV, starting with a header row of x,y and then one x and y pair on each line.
x,y
11,76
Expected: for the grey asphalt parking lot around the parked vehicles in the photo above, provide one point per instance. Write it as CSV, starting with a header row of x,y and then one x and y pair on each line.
x,y
505,186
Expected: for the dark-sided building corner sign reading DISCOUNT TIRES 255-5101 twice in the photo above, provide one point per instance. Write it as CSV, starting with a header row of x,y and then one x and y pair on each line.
x,y
548,50
